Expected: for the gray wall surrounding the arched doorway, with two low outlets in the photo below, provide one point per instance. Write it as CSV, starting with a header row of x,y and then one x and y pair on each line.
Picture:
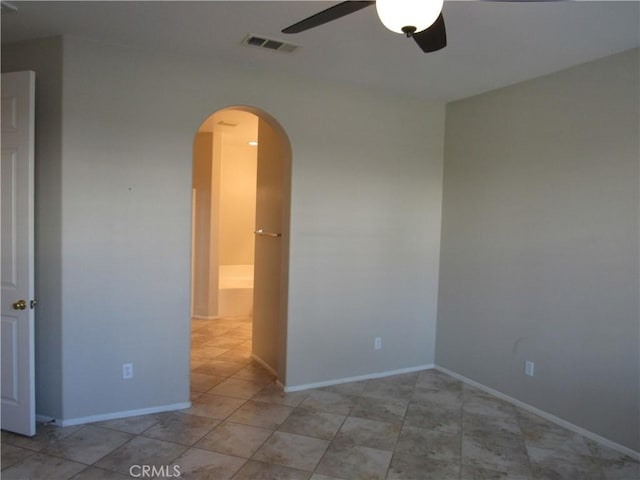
x,y
365,224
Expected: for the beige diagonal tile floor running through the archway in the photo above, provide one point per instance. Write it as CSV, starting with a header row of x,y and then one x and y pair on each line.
x,y
422,425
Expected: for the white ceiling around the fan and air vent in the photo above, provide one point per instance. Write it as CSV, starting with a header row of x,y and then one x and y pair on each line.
x,y
491,44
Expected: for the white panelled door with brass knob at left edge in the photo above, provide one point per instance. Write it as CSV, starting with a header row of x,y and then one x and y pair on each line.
x,y
18,378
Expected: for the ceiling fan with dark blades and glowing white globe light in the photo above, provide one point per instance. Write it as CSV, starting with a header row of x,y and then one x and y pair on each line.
x,y
418,19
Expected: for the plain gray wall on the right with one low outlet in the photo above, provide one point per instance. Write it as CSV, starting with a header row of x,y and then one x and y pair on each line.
x,y
540,244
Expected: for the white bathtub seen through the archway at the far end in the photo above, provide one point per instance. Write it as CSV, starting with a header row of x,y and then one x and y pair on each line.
x,y
235,290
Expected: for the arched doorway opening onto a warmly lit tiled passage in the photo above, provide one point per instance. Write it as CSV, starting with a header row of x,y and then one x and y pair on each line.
x,y
240,239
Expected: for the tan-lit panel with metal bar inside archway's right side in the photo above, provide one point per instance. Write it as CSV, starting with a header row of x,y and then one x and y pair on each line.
x,y
268,247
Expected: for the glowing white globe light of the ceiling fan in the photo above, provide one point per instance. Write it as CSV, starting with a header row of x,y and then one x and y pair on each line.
x,y
408,16
